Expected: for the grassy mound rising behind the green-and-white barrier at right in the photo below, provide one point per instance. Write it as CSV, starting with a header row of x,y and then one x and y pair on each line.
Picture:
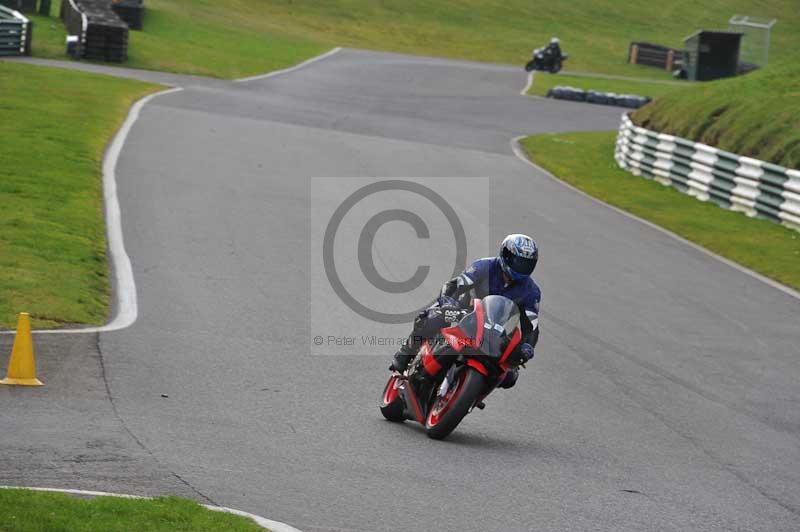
x,y
757,115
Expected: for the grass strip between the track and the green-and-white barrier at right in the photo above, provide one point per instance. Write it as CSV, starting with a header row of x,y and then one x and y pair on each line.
x,y
760,245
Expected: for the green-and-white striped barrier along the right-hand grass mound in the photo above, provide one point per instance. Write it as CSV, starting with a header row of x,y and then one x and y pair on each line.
x,y
754,187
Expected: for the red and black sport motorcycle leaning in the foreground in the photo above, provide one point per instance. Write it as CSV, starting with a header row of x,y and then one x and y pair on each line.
x,y
453,374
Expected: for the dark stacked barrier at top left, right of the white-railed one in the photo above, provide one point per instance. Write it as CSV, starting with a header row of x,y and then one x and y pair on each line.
x,y
102,35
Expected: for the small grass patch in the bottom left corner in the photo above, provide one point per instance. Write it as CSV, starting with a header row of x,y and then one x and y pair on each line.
x,y
33,511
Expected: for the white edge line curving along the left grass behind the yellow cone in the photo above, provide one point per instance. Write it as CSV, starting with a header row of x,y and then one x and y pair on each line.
x,y
125,286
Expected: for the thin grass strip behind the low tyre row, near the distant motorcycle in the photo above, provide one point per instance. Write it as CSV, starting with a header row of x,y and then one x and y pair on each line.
x,y
542,82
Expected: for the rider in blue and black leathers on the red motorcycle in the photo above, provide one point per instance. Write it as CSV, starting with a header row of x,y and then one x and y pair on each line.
x,y
507,274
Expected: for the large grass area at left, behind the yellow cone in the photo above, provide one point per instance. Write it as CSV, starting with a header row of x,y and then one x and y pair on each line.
x,y
55,125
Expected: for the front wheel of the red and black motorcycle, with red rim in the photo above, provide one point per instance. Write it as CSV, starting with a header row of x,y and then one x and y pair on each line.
x,y
448,411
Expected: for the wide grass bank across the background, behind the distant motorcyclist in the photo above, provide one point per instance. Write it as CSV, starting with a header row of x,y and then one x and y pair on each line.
x,y
242,37
